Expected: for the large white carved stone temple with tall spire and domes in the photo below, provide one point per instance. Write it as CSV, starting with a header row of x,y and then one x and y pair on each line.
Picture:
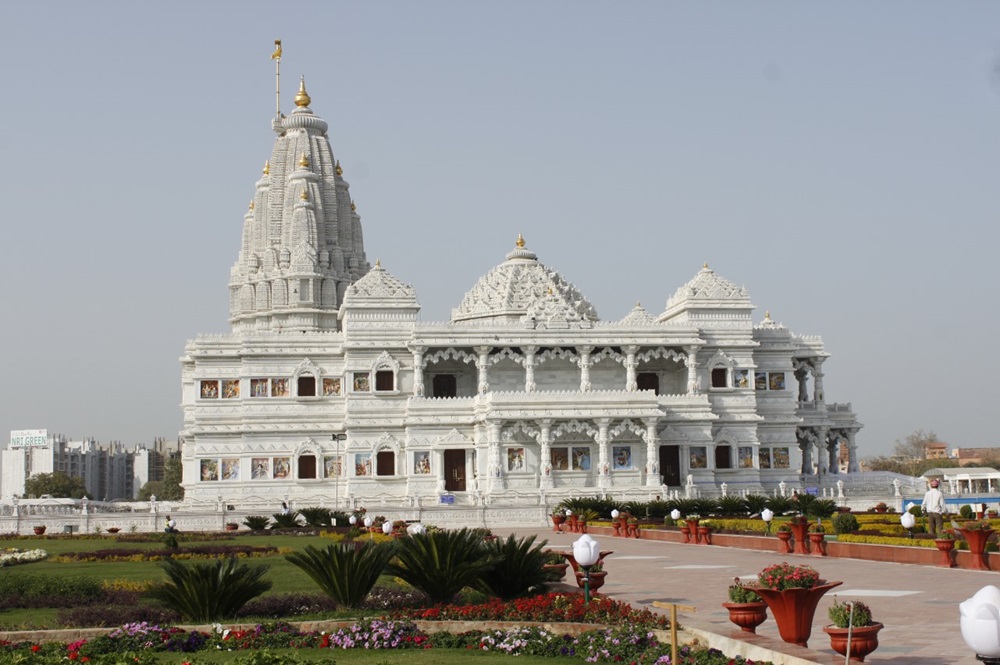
x,y
330,391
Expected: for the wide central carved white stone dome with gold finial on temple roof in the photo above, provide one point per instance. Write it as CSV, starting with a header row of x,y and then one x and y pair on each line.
x,y
523,290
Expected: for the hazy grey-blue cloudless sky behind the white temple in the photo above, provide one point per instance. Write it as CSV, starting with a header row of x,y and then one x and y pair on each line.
x,y
840,160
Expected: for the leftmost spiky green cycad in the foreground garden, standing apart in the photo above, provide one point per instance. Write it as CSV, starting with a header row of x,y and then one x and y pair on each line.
x,y
212,591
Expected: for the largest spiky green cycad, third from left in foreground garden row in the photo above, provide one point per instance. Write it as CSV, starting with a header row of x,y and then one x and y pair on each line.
x,y
442,563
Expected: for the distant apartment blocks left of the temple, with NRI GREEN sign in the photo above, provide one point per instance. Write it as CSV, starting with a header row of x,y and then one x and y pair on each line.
x,y
109,471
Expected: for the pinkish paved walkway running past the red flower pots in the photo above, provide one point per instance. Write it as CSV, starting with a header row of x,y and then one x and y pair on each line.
x,y
917,604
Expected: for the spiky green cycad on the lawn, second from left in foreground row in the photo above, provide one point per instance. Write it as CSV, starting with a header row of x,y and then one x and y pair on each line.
x,y
344,573
